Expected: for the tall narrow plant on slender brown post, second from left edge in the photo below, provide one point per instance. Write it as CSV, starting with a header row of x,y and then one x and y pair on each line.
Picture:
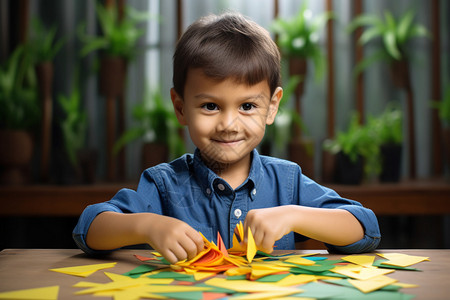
x,y
44,47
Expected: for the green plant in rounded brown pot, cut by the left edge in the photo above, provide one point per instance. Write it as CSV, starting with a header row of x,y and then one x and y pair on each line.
x,y
19,113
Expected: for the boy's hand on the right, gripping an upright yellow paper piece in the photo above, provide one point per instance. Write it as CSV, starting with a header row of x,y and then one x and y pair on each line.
x,y
268,225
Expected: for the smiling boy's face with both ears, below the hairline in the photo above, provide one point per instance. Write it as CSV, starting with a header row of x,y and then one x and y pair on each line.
x,y
226,120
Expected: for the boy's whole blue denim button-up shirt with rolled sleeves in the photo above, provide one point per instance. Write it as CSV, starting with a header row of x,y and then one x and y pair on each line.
x,y
188,190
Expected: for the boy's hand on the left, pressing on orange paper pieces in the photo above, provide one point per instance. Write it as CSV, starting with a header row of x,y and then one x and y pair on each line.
x,y
173,239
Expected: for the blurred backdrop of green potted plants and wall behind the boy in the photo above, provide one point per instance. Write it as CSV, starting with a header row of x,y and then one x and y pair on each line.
x,y
85,106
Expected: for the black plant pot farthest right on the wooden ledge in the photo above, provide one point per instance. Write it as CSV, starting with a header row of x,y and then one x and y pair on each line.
x,y
391,156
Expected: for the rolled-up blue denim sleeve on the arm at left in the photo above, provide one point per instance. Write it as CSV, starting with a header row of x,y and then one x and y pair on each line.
x,y
125,201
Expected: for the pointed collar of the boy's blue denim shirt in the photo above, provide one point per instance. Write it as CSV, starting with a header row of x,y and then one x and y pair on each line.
x,y
206,177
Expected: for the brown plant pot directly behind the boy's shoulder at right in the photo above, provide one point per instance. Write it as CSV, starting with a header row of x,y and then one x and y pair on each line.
x,y
302,153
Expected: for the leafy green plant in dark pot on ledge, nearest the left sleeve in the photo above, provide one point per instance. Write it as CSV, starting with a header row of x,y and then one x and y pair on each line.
x,y
82,161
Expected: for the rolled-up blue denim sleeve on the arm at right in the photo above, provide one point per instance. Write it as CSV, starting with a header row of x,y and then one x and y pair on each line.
x,y
315,195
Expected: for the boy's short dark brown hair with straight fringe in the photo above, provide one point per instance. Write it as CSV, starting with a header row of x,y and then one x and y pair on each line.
x,y
227,46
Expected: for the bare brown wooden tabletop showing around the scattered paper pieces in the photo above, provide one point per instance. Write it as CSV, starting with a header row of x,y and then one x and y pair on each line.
x,y
29,268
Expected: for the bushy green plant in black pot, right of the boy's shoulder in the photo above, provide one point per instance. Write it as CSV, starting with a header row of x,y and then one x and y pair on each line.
x,y
357,153
